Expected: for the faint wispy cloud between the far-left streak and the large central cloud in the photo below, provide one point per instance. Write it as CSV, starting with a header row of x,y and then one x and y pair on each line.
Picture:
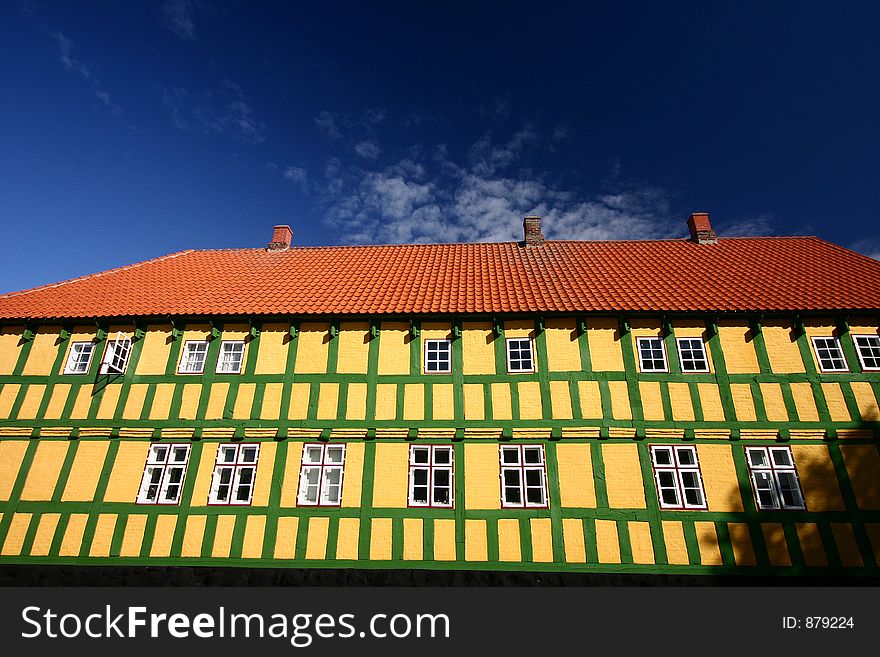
x,y
215,111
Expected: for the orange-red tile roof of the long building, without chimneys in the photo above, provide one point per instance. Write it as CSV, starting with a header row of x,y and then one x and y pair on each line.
x,y
736,274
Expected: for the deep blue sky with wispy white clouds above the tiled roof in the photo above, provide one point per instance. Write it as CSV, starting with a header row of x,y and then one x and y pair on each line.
x,y
130,130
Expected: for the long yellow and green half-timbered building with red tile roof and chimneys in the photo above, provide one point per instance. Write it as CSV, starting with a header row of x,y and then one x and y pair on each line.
x,y
687,406
